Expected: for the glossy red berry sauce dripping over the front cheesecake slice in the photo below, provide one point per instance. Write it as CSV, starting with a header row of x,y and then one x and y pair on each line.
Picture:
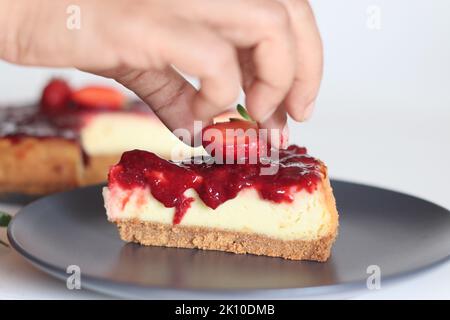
x,y
216,183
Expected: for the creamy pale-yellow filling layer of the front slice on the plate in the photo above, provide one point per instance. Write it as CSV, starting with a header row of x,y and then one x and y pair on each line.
x,y
306,218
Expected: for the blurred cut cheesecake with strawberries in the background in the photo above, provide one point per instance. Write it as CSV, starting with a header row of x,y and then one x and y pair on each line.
x,y
72,137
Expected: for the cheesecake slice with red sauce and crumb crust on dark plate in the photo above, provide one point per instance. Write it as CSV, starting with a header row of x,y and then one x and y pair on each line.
x,y
230,207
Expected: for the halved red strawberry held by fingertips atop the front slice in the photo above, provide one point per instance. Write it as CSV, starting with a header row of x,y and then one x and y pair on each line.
x,y
233,140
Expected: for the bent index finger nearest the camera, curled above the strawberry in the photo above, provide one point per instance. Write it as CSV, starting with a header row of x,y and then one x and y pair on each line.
x,y
198,51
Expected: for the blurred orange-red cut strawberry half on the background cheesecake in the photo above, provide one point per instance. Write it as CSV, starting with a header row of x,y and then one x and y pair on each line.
x,y
97,97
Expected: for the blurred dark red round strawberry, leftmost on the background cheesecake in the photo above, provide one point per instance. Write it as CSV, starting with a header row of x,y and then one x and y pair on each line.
x,y
55,97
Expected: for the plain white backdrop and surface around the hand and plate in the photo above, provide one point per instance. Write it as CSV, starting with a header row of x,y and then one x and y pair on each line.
x,y
383,117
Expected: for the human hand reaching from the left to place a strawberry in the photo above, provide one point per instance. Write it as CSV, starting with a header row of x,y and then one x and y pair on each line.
x,y
270,47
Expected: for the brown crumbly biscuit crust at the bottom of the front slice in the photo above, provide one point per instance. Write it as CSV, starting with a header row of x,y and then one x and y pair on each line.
x,y
179,236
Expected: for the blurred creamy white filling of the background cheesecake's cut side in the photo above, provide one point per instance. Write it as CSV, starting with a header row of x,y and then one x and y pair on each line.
x,y
115,133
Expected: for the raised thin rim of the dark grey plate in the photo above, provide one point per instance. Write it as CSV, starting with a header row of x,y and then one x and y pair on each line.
x,y
98,283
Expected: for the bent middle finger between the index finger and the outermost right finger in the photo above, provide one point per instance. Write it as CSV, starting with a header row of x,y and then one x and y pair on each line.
x,y
263,26
